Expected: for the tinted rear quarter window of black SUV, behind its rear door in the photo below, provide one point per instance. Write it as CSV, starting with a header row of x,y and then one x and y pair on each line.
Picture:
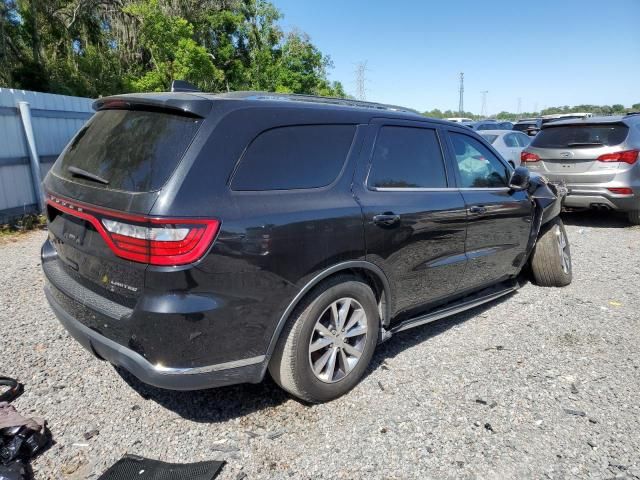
x,y
309,156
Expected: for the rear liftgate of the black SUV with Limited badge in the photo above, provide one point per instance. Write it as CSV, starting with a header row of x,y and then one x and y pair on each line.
x,y
103,186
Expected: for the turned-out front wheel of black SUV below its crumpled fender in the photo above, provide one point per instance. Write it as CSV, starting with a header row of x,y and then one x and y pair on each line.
x,y
551,258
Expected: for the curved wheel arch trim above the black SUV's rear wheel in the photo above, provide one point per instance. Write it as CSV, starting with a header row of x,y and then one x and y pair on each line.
x,y
367,271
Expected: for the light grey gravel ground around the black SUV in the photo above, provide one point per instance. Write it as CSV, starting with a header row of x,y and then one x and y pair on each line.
x,y
543,384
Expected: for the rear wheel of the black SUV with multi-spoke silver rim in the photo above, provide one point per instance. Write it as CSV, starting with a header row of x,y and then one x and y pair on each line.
x,y
312,336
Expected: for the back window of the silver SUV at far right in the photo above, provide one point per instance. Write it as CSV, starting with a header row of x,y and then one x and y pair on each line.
x,y
580,136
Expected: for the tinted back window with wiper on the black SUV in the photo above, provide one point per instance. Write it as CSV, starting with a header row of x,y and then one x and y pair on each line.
x,y
132,150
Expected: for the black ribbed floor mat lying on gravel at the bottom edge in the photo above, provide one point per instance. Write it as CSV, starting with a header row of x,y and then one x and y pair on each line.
x,y
132,467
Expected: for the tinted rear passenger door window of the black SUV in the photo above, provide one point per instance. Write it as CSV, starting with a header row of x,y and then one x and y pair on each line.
x,y
407,157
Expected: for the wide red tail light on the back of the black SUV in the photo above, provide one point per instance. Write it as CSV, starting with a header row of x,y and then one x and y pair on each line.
x,y
157,241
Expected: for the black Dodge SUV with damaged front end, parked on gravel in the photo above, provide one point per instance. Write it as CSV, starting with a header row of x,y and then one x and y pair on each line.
x,y
199,240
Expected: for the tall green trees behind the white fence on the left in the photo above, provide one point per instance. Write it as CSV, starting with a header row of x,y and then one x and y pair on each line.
x,y
100,47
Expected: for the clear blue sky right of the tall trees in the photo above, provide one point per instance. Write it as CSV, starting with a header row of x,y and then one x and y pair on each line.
x,y
546,52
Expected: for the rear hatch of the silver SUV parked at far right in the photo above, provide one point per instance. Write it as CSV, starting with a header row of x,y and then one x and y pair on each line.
x,y
576,152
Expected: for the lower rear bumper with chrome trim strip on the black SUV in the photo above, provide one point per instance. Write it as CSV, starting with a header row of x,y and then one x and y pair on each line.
x,y
247,370
